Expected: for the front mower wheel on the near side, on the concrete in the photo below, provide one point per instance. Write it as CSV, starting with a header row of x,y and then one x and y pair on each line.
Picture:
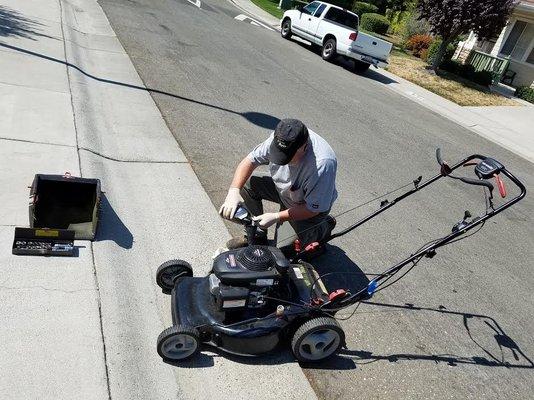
x,y
178,343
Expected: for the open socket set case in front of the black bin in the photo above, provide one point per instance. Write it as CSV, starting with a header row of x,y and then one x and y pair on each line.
x,y
43,242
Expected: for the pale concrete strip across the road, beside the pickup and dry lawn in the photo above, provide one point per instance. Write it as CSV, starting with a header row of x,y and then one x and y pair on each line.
x,y
510,127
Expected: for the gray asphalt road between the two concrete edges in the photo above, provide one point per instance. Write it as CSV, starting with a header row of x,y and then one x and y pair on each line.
x,y
460,324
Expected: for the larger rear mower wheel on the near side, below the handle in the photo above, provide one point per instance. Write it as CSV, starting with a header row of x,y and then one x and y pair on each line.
x,y
317,339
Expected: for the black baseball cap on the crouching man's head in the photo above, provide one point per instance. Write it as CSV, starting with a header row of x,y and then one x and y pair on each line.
x,y
289,135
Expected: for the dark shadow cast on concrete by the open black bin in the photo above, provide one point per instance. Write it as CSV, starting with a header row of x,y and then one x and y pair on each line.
x,y
111,226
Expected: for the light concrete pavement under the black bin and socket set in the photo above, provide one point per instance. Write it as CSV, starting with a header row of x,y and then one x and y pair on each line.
x,y
86,327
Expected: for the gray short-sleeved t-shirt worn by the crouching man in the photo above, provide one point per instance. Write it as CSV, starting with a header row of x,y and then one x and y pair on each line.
x,y
312,181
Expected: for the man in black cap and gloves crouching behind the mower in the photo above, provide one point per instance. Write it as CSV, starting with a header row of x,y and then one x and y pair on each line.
x,y
303,173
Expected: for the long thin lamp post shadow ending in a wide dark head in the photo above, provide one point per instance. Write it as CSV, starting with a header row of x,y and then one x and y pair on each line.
x,y
260,119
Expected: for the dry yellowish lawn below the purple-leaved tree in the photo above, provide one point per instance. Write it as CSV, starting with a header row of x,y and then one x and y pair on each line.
x,y
447,85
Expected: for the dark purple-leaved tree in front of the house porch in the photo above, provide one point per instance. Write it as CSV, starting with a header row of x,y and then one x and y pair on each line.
x,y
451,18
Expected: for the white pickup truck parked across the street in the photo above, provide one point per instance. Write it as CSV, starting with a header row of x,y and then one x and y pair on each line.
x,y
336,31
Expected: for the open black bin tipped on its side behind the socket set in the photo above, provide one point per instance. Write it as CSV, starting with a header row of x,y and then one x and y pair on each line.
x,y
65,202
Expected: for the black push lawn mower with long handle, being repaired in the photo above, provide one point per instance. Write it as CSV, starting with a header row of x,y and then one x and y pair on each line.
x,y
257,296
